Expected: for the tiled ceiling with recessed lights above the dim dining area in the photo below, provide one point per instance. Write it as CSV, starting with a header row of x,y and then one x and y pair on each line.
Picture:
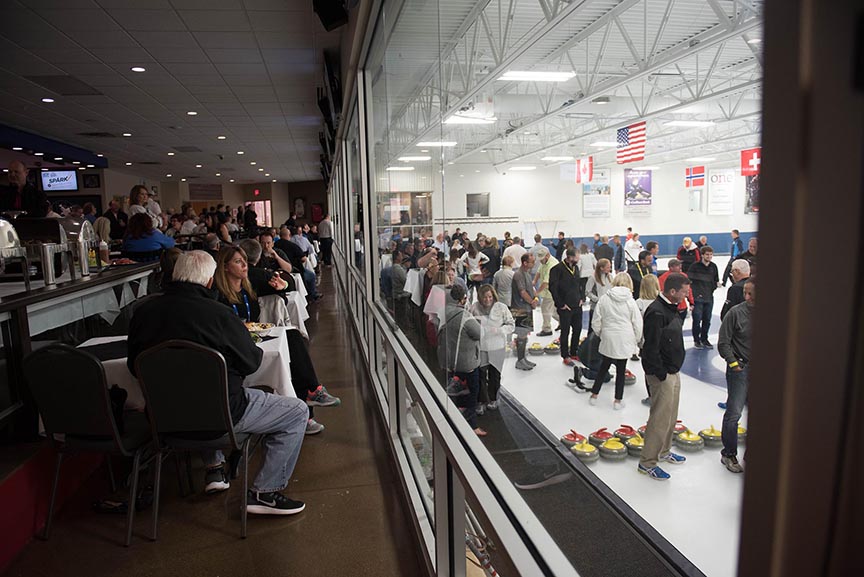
x,y
249,68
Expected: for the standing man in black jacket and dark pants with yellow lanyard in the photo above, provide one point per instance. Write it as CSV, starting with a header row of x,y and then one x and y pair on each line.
x,y
566,288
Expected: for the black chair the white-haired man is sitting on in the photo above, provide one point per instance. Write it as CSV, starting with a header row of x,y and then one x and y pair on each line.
x,y
185,386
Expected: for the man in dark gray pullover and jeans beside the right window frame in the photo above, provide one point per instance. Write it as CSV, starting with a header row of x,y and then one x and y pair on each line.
x,y
734,346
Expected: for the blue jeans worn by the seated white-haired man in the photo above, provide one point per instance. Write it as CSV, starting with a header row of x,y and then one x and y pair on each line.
x,y
282,422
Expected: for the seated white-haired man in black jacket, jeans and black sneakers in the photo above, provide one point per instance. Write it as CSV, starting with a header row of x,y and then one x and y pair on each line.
x,y
189,311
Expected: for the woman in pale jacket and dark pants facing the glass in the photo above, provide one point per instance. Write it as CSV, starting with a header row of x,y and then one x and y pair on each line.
x,y
496,326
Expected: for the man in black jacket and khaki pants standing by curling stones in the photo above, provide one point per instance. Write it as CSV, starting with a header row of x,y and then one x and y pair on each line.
x,y
662,357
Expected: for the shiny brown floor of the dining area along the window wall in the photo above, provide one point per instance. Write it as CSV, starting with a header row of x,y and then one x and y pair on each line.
x,y
354,523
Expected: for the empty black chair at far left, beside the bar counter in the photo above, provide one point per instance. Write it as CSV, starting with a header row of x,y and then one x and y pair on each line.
x,y
72,396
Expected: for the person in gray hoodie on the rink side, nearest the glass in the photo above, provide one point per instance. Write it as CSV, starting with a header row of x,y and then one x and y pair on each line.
x,y
459,351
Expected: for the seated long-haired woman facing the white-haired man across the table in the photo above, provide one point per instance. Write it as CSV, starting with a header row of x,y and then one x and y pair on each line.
x,y
239,290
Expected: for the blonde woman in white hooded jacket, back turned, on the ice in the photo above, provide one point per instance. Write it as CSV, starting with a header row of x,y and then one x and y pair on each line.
x,y
618,323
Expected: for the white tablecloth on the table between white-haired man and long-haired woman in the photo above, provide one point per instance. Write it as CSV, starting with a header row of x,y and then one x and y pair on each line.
x,y
274,372
